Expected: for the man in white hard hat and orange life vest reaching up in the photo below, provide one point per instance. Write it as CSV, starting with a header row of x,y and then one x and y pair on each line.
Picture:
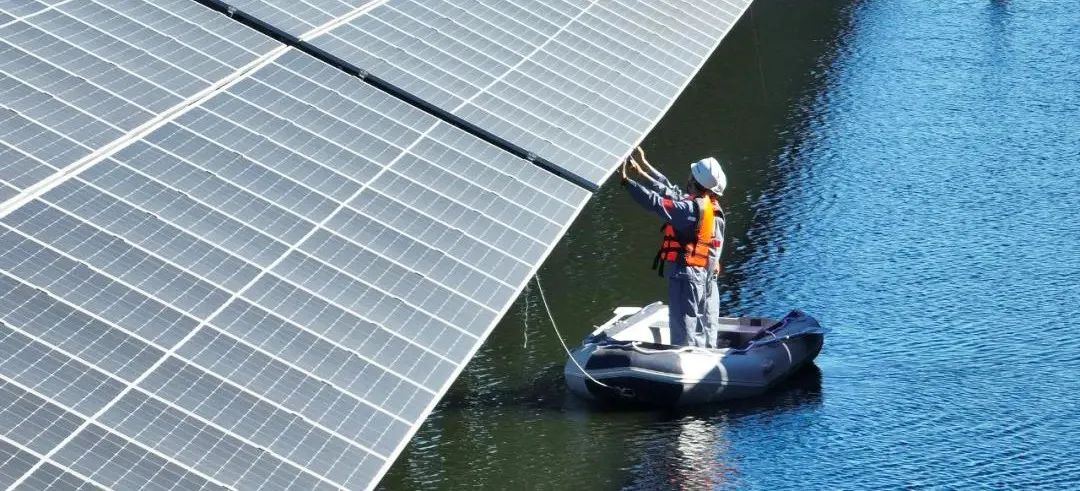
x,y
690,256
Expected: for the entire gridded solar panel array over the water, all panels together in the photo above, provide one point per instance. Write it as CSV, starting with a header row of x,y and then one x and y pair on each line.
x,y
228,264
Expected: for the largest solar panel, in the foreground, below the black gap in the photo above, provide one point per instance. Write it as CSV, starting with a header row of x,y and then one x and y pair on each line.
x,y
272,291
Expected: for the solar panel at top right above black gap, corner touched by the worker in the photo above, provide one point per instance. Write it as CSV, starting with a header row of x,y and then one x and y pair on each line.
x,y
577,84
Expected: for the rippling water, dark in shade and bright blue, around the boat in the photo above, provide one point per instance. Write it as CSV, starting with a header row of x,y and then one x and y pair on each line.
x,y
909,172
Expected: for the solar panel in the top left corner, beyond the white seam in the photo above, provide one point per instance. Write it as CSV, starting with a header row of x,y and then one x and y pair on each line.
x,y
78,76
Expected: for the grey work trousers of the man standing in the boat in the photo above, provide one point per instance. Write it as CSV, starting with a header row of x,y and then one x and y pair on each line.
x,y
694,307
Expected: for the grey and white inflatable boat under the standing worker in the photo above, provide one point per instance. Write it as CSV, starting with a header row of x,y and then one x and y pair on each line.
x,y
629,356
